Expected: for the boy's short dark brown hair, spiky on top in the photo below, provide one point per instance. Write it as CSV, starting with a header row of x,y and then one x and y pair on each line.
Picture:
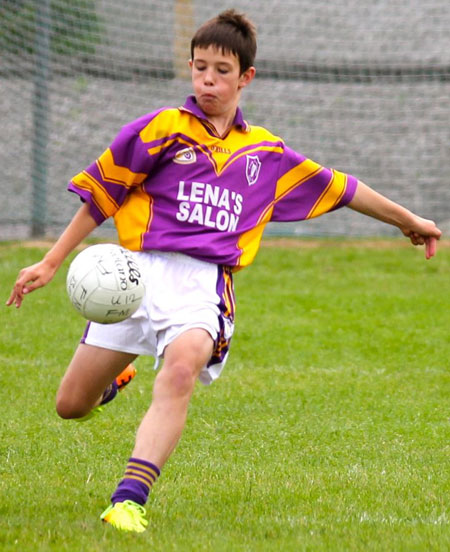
x,y
231,32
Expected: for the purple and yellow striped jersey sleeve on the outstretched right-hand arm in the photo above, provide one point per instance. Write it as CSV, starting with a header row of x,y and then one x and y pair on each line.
x,y
305,189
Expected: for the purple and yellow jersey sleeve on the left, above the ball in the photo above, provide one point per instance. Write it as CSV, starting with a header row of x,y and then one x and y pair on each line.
x,y
122,167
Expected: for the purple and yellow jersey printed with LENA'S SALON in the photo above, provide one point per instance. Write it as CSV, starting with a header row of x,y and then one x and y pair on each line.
x,y
172,184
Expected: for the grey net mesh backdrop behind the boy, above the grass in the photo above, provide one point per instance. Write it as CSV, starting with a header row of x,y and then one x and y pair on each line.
x,y
359,86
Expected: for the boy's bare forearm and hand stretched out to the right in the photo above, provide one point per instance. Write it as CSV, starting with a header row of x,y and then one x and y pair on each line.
x,y
419,230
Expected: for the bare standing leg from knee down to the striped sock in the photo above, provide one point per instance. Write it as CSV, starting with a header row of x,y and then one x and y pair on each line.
x,y
161,427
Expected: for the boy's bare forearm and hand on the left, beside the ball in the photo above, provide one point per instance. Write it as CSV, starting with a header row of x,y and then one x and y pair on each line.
x,y
39,274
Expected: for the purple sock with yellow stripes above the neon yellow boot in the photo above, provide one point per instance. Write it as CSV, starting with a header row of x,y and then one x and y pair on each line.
x,y
137,482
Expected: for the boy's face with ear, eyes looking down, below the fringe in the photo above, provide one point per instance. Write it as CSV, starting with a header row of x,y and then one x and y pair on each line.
x,y
217,81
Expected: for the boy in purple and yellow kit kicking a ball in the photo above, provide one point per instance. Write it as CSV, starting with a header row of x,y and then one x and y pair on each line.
x,y
191,190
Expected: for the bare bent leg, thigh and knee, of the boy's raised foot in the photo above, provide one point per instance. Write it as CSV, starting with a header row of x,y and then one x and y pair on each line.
x,y
89,373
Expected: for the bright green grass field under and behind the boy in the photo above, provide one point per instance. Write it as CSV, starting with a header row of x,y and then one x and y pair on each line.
x,y
328,431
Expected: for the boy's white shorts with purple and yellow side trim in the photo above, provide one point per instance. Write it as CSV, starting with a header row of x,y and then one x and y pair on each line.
x,y
182,293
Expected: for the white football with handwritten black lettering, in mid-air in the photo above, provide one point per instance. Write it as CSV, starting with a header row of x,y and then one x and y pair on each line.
x,y
105,284
